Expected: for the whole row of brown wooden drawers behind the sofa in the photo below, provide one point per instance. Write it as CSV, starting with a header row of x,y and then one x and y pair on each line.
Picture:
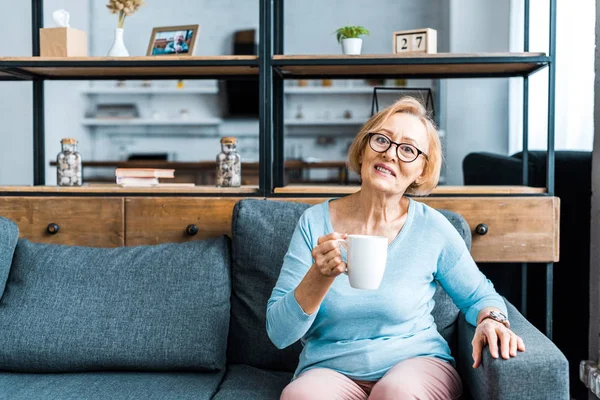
x,y
504,229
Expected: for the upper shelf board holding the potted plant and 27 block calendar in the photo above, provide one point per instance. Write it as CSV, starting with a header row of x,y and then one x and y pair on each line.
x,y
422,65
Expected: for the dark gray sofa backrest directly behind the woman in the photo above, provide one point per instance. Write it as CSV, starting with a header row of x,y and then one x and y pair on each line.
x,y
261,232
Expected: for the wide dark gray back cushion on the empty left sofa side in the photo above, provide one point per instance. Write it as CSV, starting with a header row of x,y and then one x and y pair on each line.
x,y
71,308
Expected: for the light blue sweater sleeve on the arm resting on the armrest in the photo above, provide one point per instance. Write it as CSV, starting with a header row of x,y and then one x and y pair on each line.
x,y
460,277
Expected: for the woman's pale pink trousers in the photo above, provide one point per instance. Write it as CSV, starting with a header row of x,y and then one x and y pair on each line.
x,y
415,378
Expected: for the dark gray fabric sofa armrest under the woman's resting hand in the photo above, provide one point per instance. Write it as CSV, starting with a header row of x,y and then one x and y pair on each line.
x,y
541,372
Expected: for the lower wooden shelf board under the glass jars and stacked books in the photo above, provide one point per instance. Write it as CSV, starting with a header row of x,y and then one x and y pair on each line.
x,y
113,188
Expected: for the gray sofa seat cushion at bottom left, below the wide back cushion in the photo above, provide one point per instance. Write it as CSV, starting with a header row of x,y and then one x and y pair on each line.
x,y
110,385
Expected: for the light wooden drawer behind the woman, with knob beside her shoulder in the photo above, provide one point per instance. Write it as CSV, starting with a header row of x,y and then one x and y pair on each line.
x,y
519,229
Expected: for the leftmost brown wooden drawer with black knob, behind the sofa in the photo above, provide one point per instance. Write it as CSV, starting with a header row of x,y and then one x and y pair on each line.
x,y
82,221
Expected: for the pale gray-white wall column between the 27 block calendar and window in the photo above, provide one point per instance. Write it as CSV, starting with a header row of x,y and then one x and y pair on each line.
x,y
476,110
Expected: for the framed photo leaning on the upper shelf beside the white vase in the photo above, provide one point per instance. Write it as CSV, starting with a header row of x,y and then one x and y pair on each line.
x,y
173,40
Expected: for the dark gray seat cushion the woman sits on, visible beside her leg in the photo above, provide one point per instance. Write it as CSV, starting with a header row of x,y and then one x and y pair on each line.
x,y
249,383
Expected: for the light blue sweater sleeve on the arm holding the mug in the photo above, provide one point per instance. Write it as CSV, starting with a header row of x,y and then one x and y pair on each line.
x,y
286,321
